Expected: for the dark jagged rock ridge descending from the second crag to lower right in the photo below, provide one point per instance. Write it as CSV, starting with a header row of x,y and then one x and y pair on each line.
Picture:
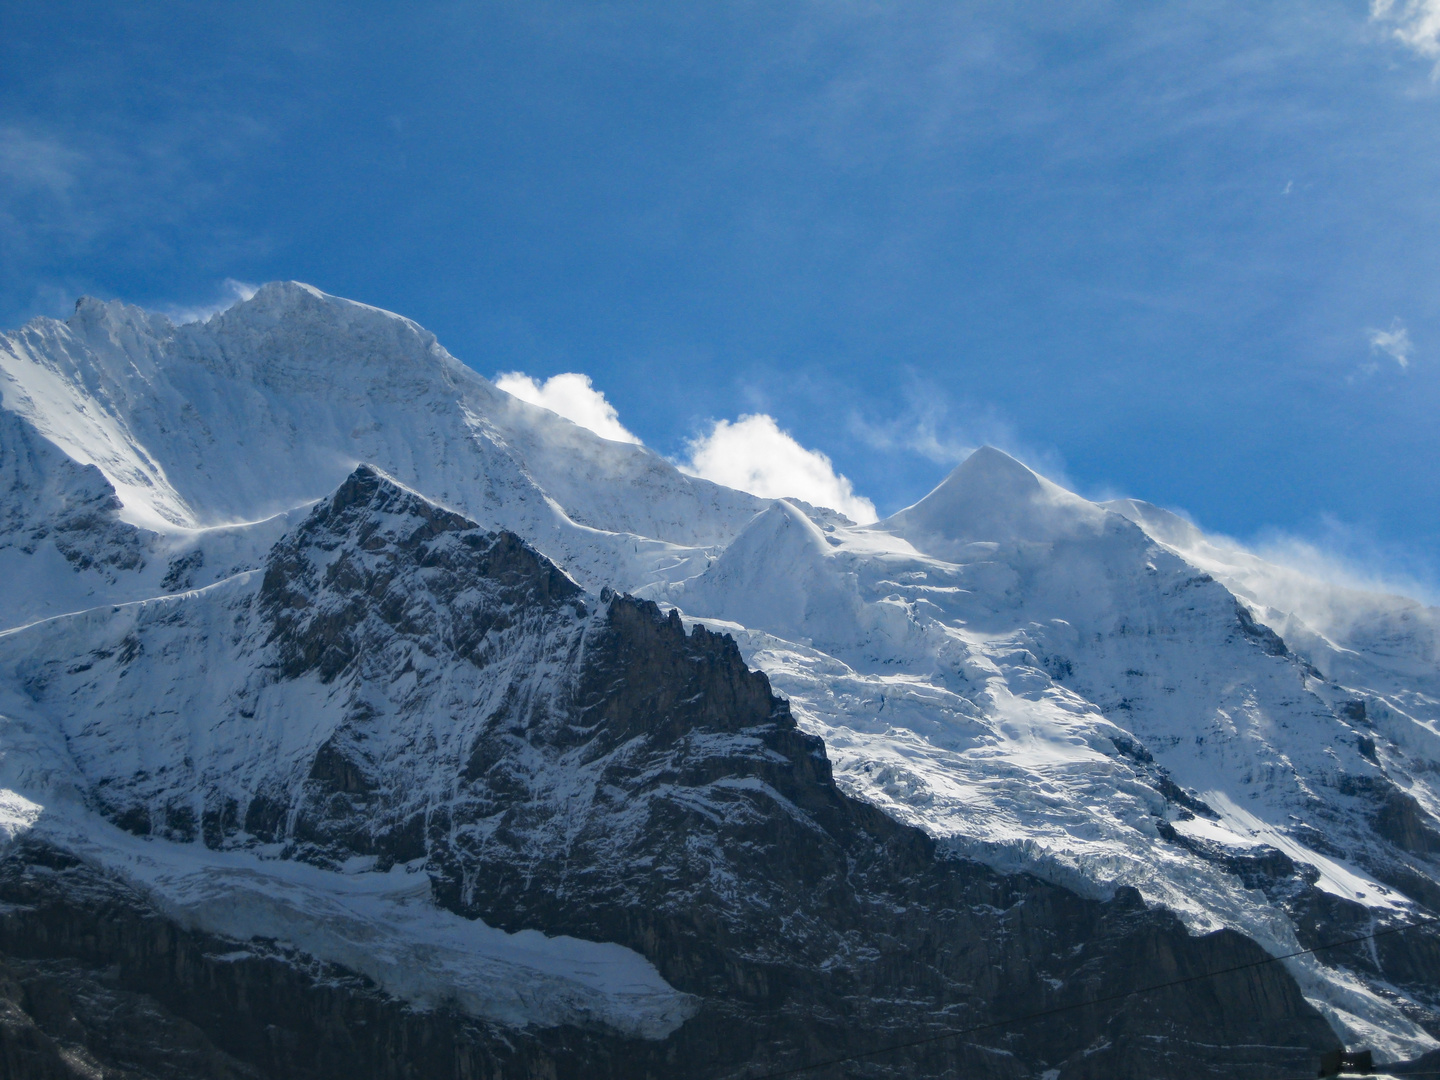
x,y
719,846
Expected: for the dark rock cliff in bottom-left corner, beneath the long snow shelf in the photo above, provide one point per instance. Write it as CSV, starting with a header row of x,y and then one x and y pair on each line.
x,y
96,984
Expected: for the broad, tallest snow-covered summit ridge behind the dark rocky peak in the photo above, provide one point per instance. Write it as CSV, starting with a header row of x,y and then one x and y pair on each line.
x,y
269,407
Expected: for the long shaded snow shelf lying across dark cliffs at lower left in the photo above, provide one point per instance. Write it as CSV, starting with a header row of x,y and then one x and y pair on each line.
x,y
388,928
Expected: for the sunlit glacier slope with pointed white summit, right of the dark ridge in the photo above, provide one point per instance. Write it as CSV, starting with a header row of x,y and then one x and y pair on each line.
x,y
1040,685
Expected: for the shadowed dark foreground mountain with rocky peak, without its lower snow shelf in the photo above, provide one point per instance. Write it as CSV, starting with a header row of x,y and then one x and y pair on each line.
x,y
581,767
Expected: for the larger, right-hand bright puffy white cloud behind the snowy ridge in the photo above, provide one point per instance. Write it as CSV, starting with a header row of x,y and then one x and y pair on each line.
x,y
752,454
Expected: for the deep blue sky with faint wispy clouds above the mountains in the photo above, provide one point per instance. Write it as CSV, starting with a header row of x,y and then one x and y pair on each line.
x,y
1177,251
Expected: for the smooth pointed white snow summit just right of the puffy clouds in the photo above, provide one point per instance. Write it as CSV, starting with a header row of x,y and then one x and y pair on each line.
x,y
993,498
